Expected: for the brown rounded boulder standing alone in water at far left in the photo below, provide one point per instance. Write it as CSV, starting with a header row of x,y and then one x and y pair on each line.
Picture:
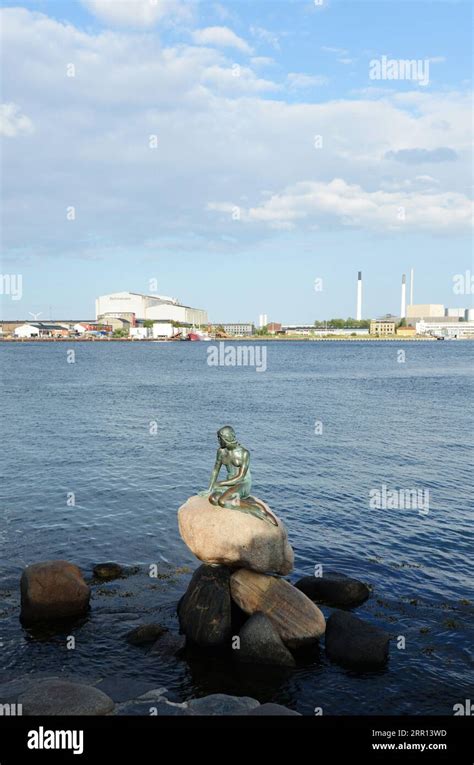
x,y
53,590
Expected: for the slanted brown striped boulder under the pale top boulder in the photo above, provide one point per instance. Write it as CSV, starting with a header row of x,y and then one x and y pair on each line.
x,y
298,621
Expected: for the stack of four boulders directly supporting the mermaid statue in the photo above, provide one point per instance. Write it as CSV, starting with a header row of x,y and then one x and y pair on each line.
x,y
234,600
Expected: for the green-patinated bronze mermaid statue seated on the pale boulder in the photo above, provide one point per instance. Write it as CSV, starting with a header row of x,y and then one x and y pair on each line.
x,y
233,493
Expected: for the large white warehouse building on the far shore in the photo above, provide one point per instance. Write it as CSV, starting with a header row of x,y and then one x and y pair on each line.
x,y
149,307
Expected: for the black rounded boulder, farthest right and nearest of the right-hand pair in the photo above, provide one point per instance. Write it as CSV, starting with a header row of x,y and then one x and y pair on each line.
x,y
354,643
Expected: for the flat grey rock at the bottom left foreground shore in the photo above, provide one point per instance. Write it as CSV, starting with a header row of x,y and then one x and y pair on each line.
x,y
59,697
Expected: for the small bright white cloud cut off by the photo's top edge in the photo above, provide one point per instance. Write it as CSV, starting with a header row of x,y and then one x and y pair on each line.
x,y
135,13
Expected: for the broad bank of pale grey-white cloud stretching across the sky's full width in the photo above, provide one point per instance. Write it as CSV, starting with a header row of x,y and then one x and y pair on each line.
x,y
220,137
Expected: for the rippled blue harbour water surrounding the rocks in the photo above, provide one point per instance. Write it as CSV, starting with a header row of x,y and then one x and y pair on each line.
x,y
85,428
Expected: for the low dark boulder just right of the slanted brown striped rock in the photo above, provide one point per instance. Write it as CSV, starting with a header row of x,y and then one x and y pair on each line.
x,y
334,589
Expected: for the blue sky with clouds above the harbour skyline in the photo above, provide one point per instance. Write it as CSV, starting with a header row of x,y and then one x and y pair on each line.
x,y
245,157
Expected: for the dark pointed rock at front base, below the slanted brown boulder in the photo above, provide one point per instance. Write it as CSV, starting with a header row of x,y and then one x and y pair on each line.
x,y
260,643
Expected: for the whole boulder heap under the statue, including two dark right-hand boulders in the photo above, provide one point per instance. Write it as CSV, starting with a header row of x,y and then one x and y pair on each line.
x,y
236,600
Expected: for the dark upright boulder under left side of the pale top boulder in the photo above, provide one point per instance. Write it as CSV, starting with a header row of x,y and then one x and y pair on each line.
x,y
205,609
